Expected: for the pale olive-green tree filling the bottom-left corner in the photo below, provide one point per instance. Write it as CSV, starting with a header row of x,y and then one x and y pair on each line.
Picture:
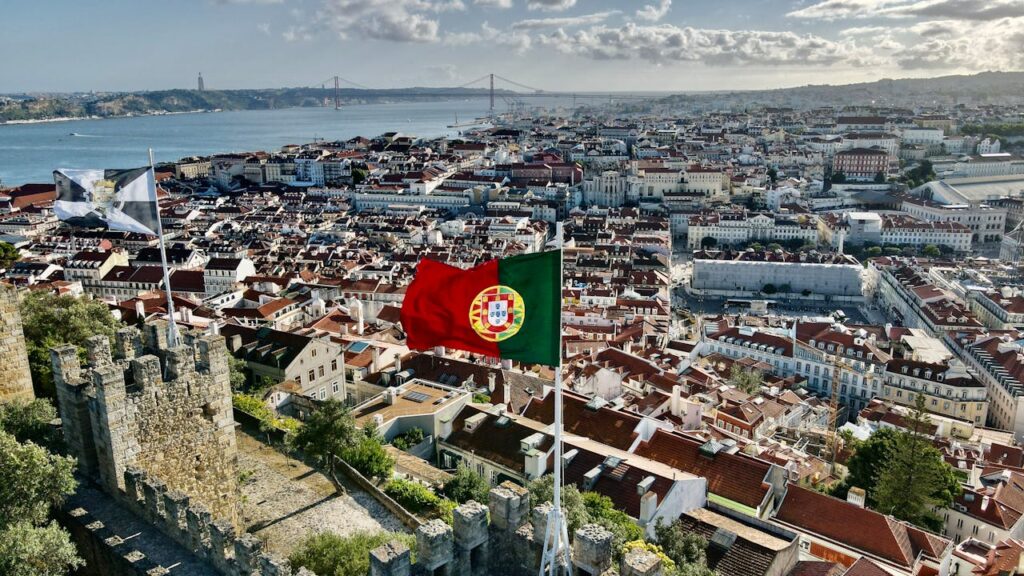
x,y
32,482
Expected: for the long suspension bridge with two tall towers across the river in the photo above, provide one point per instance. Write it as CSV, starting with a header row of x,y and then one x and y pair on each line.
x,y
510,93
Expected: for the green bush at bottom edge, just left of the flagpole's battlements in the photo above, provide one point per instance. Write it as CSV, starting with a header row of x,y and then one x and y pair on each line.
x,y
328,554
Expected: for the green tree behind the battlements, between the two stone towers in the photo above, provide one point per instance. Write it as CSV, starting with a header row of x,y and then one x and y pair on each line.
x,y
53,321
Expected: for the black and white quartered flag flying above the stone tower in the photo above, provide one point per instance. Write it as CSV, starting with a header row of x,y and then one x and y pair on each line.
x,y
113,199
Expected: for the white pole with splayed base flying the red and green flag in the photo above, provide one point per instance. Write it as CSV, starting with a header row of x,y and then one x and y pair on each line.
x,y
557,542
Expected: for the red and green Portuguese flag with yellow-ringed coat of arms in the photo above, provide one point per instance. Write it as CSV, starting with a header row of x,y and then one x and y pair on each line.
x,y
506,309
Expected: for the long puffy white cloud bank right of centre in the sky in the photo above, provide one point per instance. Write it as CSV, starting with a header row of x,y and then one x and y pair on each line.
x,y
667,44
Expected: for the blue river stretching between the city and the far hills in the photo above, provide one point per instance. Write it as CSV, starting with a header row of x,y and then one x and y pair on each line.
x,y
29,153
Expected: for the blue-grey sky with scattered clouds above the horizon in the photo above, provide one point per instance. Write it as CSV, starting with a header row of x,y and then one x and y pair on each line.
x,y
620,46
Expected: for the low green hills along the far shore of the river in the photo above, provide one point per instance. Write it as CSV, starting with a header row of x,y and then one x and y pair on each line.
x,y
123,104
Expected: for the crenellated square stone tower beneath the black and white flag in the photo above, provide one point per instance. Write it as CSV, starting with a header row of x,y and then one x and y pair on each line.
x,y
164,412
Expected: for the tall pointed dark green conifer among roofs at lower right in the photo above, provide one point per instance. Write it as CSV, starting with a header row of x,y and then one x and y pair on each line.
x,y
916,479
